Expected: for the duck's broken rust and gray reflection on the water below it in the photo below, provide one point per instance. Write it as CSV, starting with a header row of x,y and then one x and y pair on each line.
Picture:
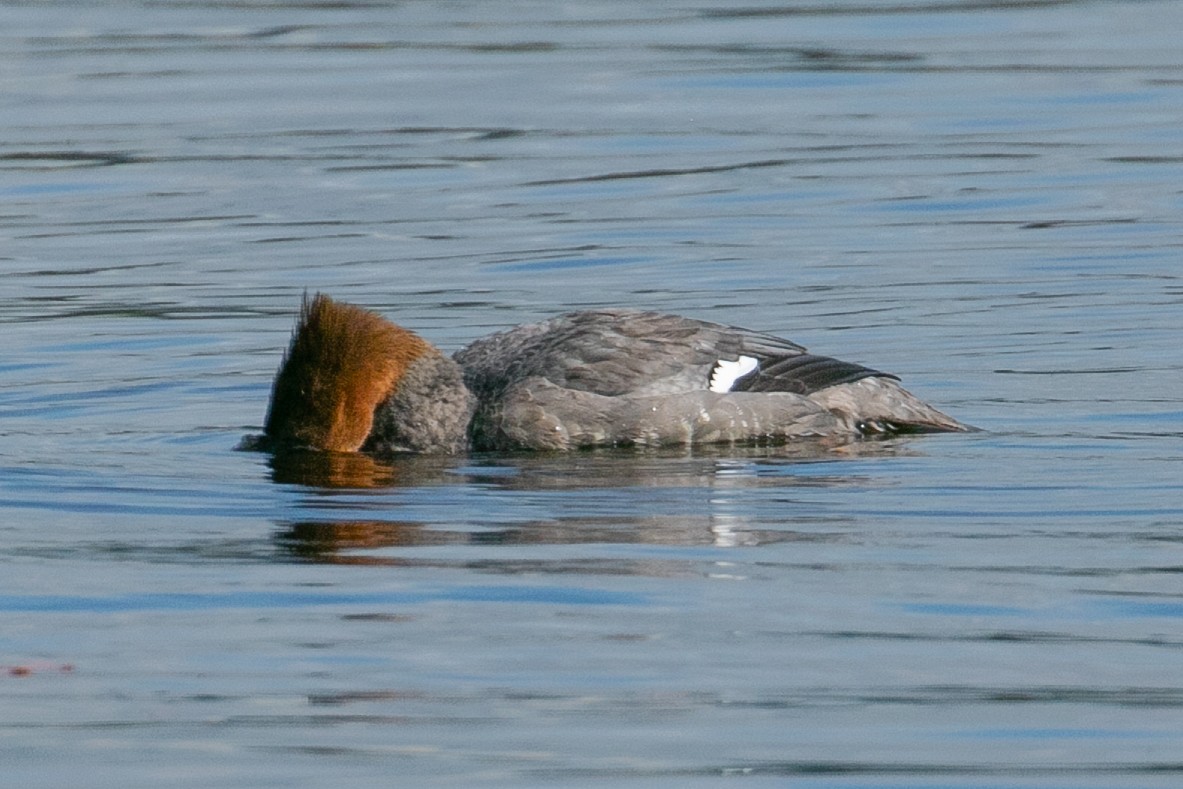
x,y
722,481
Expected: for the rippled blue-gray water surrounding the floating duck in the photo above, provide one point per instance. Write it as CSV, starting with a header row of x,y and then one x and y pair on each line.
x,y
982,198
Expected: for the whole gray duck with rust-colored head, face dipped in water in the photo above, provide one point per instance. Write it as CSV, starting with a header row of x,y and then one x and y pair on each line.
x,y
353,381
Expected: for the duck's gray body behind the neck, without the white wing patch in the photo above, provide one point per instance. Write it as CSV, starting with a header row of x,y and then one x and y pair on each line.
x,y
611,378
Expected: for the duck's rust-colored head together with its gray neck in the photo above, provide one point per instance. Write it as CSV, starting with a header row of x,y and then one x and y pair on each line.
x,y
352,380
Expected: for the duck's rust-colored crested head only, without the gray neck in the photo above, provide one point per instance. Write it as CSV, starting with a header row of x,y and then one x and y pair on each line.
x,y
342,363
